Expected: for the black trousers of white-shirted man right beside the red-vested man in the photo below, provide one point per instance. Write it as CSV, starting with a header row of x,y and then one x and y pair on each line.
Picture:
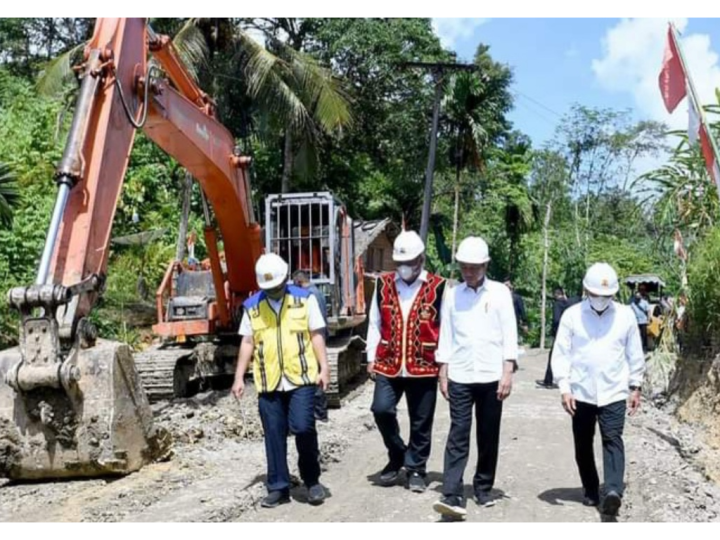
x,y
488,413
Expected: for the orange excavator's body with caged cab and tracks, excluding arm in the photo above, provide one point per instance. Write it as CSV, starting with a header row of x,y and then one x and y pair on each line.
x,y
314,234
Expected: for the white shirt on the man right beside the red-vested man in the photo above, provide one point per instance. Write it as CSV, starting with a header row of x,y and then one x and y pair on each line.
x,y
478,333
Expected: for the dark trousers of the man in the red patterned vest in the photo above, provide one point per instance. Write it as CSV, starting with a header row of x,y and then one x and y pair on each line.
x,y
421,399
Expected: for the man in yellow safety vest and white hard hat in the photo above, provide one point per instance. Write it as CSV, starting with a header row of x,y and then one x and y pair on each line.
x,y
283,332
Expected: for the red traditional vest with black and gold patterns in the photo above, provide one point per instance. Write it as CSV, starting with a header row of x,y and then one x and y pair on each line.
x,y
414,345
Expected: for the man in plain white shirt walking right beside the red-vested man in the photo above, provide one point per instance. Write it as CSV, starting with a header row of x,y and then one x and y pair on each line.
x,y
478,353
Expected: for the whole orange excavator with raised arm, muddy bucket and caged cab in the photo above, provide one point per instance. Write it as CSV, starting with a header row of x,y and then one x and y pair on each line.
x,y
74,405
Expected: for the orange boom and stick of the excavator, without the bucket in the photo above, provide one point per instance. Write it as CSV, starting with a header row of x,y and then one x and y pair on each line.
x,y
119,94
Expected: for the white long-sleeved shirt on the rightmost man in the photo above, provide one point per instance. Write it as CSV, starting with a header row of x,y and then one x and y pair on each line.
x,y
597,358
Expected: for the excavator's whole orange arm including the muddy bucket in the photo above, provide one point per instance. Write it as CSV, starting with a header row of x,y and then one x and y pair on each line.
x,y
74,405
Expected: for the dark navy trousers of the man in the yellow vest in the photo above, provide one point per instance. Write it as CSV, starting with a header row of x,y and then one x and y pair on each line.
x,y
284,413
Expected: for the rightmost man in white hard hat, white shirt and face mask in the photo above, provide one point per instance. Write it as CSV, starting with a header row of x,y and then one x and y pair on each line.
x,y
599,365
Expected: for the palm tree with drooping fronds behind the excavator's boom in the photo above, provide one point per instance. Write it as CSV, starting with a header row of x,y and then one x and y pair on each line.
x,y
291,90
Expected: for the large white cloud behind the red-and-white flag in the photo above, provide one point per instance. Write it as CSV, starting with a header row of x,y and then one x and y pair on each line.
x,y
632,59
